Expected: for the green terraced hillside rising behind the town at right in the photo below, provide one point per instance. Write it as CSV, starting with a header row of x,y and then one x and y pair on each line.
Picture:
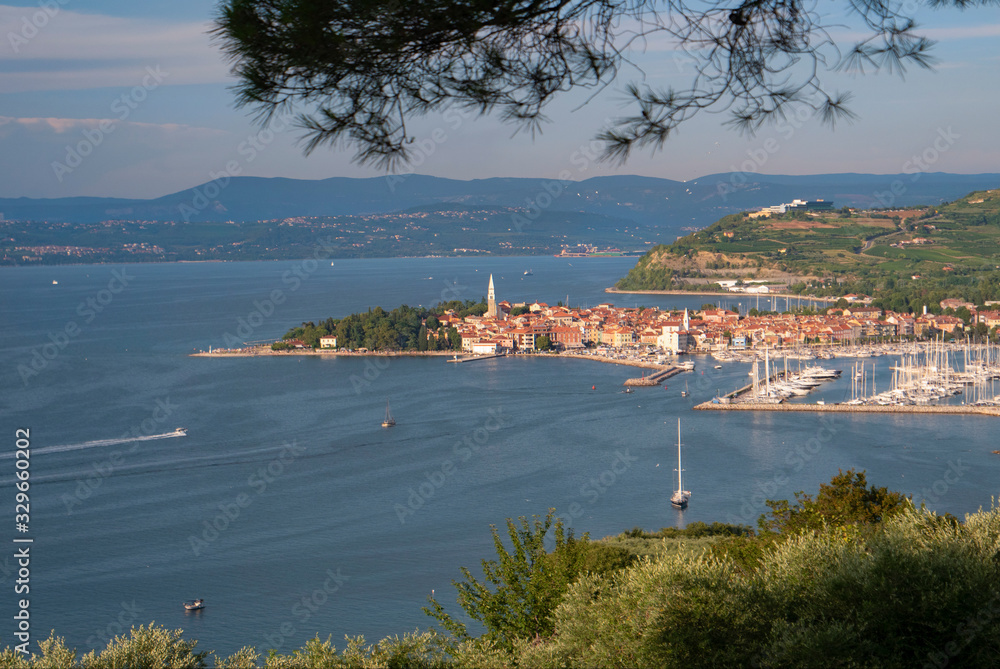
x,y
901,254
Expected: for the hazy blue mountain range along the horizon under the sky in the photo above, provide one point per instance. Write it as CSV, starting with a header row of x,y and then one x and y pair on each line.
x,y
642,200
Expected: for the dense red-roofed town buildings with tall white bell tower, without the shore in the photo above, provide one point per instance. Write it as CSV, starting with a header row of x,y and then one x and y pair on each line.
x,y
524,327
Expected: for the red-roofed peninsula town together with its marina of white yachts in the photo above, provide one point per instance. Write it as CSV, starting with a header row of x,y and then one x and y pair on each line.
x,y
937,354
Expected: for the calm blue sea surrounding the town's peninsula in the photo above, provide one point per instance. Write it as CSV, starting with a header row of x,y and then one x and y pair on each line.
x,y
292,512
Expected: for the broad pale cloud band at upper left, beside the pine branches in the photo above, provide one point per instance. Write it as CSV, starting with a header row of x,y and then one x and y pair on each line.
x,y
64,49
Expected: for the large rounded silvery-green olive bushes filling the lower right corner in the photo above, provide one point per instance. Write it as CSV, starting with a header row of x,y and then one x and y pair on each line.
x,y
922,591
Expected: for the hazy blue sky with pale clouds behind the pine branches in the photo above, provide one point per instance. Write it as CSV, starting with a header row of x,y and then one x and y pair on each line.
x,y
141,90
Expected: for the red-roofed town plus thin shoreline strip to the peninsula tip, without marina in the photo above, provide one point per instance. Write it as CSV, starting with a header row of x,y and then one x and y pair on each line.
x,y
626,332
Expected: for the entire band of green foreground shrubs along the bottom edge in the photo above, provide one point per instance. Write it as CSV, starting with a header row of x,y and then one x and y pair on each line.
x,y
856,577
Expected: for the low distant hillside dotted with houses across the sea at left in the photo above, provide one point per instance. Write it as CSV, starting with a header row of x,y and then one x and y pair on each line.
x,y
439,230
